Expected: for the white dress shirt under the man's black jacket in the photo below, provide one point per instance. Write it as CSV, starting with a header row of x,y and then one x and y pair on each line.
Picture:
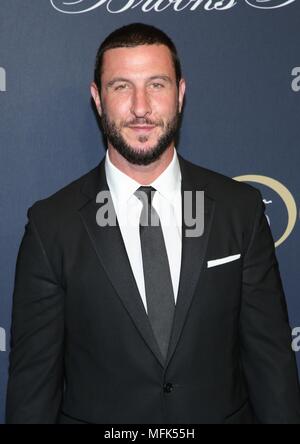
x,y
167,203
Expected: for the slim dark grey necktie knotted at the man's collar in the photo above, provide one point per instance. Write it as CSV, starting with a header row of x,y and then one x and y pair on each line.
x,y
158,282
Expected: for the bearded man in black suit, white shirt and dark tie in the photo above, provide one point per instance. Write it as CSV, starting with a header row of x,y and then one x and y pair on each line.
x,y
146,322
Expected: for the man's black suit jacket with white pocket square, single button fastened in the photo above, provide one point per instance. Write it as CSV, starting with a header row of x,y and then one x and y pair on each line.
x,y
82,347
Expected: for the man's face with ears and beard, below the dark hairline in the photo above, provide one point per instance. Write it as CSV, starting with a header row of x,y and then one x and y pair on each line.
x,y
140,102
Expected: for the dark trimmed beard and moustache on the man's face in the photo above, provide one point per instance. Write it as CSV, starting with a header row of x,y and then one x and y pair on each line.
x,y
135,155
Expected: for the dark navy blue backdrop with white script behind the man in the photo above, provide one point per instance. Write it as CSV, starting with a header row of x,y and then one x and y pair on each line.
x,y
241,62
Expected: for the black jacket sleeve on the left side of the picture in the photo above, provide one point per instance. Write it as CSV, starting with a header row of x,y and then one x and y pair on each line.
x,y
36,359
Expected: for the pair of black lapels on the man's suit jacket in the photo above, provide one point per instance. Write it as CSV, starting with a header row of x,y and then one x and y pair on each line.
x,y
109,246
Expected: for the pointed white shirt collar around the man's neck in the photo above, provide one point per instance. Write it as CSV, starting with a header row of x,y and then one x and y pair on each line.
x,y
122,186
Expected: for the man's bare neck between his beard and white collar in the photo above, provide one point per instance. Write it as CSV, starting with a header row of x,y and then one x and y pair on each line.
x,y
144,174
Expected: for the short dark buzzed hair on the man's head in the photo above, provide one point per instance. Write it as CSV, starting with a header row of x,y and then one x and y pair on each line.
x,y
130,36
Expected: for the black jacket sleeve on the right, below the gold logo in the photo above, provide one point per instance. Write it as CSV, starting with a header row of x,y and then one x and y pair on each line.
x,y
267,358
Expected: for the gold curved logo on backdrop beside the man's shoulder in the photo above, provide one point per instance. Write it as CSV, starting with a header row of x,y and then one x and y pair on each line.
x,y
285,196
